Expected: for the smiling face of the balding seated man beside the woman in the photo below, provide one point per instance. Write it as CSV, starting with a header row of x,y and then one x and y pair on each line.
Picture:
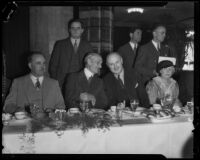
x,y
115,63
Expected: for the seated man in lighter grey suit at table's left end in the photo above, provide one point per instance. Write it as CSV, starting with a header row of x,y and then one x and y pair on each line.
x,y
34,88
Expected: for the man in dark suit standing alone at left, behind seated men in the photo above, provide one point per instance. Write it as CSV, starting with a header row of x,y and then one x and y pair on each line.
x,y
67,56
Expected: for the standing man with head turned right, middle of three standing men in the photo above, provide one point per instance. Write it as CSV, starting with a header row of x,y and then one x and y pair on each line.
x,y
129,50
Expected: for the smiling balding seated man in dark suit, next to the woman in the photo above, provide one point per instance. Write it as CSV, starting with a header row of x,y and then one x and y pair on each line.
x,y
122,83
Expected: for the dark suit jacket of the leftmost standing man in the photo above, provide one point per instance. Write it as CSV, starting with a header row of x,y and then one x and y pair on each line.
x,y
59,64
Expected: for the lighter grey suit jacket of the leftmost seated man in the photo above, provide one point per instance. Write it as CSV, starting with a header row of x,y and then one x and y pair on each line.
x,y
20,93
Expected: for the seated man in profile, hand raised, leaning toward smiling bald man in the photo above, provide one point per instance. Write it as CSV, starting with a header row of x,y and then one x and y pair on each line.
x,y
86,85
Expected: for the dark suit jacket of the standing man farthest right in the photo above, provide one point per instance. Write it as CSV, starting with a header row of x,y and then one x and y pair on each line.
x,y
147,60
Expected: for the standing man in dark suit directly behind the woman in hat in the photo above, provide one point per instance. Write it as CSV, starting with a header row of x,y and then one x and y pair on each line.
x,y
149,53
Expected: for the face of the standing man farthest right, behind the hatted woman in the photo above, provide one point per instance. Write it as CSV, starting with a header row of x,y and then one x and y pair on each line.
x,y
159,34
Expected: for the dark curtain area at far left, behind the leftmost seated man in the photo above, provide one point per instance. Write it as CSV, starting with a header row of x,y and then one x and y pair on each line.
x,y
15,43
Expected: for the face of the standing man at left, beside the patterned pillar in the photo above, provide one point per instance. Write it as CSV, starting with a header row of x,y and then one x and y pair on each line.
x,y
76,30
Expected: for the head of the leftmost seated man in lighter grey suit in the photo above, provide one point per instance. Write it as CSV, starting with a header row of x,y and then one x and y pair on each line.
x,y
37,65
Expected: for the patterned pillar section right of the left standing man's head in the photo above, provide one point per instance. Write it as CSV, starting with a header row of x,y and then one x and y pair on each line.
x,y
98,22
